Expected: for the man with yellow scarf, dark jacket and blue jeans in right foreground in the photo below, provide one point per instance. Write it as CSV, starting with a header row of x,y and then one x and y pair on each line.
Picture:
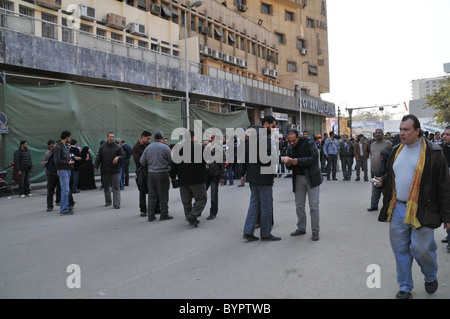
x,y
416,189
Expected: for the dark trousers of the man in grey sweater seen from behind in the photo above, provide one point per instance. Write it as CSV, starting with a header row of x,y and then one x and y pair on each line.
x,y
158,190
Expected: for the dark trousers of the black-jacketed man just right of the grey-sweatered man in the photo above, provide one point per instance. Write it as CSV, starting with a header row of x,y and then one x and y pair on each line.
x,y
196,192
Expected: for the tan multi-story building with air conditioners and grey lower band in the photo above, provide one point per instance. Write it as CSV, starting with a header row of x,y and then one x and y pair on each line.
x,y
241,54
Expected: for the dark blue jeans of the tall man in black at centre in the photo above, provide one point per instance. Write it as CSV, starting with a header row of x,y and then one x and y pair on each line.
x,y
260,200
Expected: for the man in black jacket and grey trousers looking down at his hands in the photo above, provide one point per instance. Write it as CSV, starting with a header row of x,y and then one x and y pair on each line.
x,y
303,159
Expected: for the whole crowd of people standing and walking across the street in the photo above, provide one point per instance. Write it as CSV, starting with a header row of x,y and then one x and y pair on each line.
x,y
409,170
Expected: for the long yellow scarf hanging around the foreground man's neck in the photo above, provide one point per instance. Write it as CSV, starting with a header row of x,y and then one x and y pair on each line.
x,y
413,198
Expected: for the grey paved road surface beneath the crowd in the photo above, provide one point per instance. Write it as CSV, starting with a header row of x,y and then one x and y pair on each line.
x,y
121,255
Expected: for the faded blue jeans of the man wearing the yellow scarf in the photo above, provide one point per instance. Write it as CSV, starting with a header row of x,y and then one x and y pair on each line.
x,y
408,243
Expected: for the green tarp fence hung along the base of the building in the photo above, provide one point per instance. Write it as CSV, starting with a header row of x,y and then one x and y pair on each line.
x,y
37,114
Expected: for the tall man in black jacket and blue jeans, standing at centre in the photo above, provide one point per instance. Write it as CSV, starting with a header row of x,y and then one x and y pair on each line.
x,y
259,169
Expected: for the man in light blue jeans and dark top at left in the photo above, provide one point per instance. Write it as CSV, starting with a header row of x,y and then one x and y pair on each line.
x,y
64,164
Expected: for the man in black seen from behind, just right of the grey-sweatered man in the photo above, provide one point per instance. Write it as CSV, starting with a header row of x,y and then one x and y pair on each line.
x,y
191,179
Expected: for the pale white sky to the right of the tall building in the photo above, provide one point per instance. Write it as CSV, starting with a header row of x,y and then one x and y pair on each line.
x,y
376,49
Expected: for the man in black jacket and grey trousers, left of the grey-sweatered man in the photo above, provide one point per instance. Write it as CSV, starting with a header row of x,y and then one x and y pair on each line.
x,y
109,156
